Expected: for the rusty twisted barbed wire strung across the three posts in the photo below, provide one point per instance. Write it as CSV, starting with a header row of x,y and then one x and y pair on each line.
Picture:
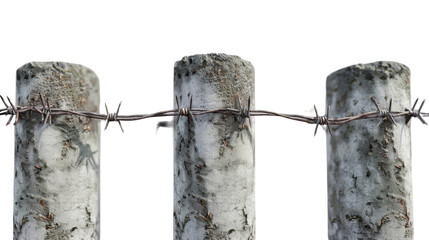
x,y
244,112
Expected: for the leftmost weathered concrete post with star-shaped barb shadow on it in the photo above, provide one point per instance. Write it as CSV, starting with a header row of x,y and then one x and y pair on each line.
x,y
56,191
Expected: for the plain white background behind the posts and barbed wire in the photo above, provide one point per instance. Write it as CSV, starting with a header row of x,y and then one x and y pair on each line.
x,y
132,47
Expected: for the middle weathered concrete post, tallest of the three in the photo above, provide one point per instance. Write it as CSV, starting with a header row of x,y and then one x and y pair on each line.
x,y
214,158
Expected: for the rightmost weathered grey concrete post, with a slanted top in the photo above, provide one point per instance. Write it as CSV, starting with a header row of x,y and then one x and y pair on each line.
x,y
369,166
